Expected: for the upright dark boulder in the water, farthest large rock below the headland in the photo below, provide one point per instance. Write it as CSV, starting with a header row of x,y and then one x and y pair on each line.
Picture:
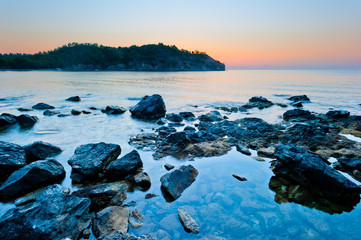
x,y
149,108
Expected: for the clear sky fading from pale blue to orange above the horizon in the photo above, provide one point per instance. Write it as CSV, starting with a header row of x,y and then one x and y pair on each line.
x,y
239,33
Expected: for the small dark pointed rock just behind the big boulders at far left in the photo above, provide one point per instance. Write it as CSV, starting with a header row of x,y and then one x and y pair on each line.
x,y
40,151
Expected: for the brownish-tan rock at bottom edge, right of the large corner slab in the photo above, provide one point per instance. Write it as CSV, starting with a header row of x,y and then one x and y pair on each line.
x,y
110,220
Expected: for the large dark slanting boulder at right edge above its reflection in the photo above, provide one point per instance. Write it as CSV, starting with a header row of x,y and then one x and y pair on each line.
x,y
311,171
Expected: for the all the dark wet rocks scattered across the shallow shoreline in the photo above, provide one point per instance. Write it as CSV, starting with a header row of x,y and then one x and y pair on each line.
x,y
301,147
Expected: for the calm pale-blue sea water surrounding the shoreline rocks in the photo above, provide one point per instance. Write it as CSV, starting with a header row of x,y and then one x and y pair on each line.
x,y
223,207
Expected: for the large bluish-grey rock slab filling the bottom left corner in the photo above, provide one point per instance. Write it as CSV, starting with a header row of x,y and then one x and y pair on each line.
x,y
58,216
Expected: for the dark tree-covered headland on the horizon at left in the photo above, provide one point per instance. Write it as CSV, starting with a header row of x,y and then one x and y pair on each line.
x,y
89,57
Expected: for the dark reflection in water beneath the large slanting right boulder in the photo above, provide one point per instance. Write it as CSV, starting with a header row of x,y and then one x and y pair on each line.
x,y
290,191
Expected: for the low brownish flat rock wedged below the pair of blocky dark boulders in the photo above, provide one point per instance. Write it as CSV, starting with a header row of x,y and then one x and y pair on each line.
x,y
104,195
